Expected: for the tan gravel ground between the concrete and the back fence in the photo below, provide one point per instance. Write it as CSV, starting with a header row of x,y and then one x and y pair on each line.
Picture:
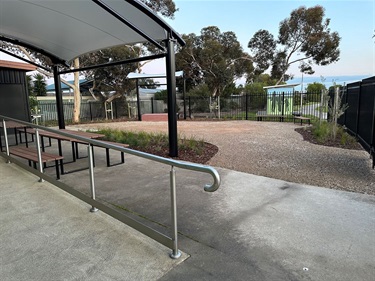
x,y
272,149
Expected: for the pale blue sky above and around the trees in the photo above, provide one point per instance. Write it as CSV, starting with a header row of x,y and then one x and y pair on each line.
x,y
353,20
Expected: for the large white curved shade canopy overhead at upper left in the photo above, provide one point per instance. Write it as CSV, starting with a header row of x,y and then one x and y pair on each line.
x,y
66,29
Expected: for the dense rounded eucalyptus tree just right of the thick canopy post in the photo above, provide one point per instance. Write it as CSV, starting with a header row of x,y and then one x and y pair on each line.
x,y
214,58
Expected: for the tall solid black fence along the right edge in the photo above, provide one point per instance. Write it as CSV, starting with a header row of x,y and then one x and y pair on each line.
x,y
359,118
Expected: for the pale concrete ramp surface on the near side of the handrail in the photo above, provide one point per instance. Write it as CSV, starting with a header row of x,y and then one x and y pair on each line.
x,y
47,234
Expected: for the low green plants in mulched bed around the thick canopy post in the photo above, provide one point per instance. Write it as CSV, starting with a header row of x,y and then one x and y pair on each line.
x,y
156,141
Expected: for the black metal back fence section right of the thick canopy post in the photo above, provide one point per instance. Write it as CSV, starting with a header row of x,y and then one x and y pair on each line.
x,y
258,106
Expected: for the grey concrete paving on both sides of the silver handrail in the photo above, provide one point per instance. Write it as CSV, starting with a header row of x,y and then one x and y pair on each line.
x,y
252,228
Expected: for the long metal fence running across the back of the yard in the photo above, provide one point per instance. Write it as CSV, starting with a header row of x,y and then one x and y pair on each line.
x,y
242,107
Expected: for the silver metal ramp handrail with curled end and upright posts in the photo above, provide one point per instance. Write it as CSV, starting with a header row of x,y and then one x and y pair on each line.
x,y
161,238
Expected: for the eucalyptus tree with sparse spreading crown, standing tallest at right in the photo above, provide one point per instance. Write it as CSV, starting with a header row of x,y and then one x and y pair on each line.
x,y
305,37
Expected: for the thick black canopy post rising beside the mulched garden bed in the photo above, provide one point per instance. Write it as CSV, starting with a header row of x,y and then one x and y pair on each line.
x,y
171,90
